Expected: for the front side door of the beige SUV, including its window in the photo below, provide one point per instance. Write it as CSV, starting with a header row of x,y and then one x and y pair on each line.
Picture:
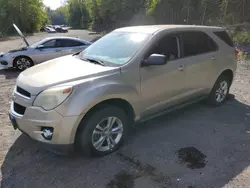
x,y
163,86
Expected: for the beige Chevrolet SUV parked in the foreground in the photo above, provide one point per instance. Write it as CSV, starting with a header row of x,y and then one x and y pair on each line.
x,y
90,99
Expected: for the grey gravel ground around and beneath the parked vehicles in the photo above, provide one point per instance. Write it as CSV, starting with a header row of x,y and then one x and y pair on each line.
x,y
195,147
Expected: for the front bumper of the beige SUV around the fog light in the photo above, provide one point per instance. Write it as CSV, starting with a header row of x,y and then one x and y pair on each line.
x,y
35,118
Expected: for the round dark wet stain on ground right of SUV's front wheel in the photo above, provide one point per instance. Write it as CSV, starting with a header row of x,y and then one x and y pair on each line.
x,y
192,157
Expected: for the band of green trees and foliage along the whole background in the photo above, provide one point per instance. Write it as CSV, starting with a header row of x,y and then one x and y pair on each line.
x,y
105,15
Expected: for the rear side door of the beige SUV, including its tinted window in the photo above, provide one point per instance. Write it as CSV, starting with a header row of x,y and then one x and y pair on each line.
x,y
200,54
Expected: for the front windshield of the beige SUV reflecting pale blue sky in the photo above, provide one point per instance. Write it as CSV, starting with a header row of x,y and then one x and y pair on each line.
x,y
116,47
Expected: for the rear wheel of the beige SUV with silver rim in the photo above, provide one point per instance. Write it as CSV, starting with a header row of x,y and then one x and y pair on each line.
x,y
220,91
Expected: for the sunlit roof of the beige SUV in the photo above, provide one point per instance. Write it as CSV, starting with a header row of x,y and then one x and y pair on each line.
x,y
151,29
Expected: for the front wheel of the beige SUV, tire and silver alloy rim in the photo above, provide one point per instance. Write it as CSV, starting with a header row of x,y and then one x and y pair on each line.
x,y
103,132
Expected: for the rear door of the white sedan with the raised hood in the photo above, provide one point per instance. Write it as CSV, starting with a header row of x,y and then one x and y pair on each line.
x,y
71,46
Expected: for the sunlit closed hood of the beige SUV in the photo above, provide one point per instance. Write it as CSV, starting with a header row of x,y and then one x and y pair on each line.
x,y
60,71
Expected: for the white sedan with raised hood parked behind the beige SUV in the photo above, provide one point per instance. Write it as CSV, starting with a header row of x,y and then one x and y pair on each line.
x,y
44,50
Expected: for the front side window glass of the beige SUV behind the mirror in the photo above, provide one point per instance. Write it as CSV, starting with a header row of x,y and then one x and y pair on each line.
x,y
168,46
